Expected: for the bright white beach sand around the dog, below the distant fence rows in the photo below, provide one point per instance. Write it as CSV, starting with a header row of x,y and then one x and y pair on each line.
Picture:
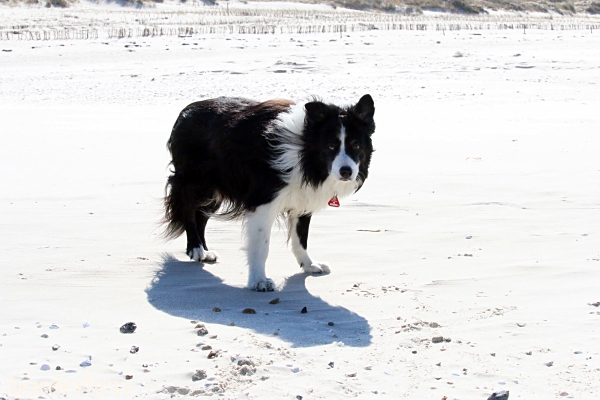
x,y
472,147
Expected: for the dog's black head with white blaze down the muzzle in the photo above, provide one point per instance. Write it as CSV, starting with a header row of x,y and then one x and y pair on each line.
x,y
337,141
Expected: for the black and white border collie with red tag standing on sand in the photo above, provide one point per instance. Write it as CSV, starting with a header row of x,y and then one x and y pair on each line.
x,y
234,157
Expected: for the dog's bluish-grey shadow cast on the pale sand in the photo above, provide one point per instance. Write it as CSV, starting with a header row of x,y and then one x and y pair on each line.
x,y
189,291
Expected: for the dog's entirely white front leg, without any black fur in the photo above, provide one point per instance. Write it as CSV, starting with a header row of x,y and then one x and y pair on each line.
x,y
258,234
